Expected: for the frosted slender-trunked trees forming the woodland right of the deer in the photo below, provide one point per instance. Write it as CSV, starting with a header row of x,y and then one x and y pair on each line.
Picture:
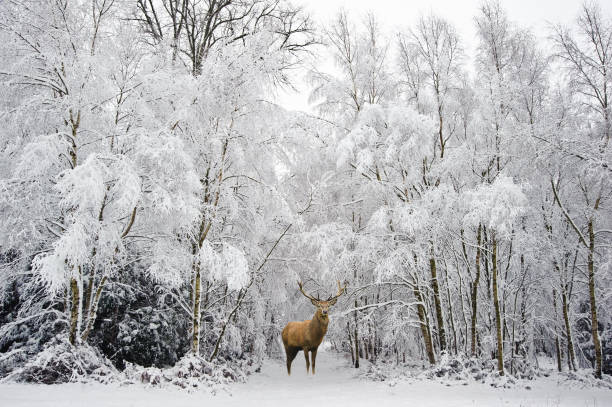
x,y
476,202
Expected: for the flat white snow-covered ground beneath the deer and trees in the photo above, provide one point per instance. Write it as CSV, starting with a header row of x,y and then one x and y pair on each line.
x,y
333,385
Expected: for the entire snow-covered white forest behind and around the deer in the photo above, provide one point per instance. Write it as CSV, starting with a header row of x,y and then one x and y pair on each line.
x,y
158,206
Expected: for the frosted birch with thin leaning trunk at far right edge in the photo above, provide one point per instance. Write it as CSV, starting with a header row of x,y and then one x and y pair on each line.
x,y
586,55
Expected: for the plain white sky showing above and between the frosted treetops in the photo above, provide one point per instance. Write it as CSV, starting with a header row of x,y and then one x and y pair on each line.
x,y
395,14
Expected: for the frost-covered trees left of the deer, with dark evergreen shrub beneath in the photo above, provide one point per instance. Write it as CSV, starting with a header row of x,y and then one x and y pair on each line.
x,y
140,198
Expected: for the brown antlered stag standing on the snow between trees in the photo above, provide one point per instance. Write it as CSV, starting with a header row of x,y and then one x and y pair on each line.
x,y
307,335
